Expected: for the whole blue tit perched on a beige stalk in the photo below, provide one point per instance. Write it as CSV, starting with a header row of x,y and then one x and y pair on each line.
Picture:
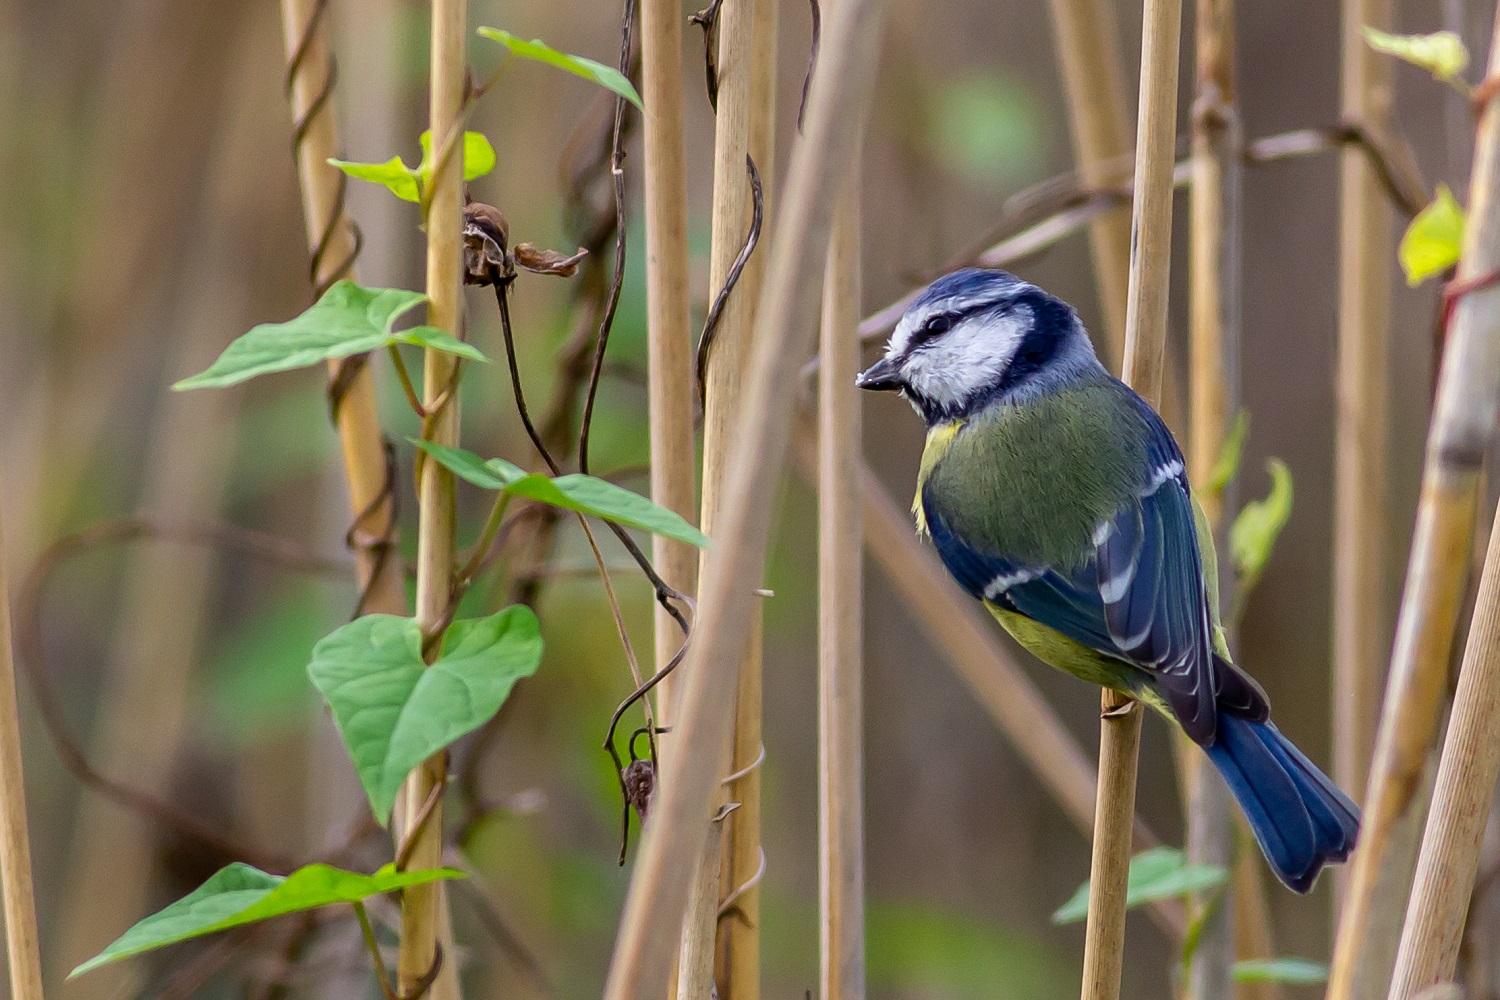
x,y
1058,497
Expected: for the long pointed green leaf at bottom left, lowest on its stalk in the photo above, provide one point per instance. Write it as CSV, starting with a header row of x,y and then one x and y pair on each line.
x,y
241,894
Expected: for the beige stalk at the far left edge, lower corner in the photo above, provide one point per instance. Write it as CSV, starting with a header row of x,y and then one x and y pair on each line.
x,y
23,951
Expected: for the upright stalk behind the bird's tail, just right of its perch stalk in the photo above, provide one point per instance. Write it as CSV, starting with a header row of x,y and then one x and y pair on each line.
x,y
1213,398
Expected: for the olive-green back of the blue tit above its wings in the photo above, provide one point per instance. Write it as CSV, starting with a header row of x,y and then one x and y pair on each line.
x,y
1031,484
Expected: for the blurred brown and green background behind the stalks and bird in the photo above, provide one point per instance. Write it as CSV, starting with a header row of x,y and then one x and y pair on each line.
x,y
149,215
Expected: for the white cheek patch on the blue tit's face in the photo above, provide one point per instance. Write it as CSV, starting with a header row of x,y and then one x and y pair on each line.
x,y
965,361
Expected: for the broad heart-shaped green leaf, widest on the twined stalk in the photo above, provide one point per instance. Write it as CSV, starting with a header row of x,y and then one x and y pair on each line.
x,y
394,711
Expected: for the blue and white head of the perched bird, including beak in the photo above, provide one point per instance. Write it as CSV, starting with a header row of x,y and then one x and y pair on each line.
x,y
974,338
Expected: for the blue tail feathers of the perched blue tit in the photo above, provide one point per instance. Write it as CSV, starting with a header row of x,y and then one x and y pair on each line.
x,y
1301,819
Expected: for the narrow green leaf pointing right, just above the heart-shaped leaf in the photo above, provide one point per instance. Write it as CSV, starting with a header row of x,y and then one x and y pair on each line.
x,y
584,494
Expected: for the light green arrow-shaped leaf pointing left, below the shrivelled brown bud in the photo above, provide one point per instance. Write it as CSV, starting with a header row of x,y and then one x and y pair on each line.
x,y
349,320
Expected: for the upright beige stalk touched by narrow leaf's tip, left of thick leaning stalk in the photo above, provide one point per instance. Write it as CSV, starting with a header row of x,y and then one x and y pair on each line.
x,y
674,464
